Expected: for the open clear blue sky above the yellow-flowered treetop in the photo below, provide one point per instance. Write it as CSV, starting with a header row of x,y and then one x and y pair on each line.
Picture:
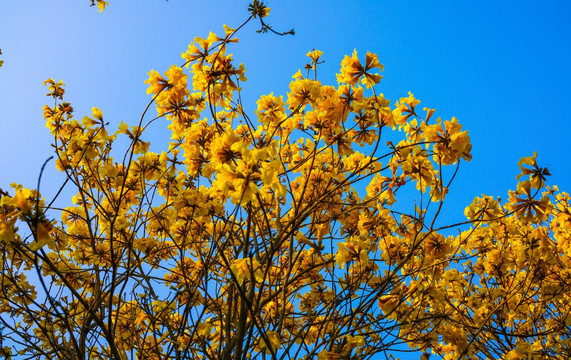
x,y
502,68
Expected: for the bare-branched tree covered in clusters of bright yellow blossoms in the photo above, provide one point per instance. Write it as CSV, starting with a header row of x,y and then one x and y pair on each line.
x,y
277,235
